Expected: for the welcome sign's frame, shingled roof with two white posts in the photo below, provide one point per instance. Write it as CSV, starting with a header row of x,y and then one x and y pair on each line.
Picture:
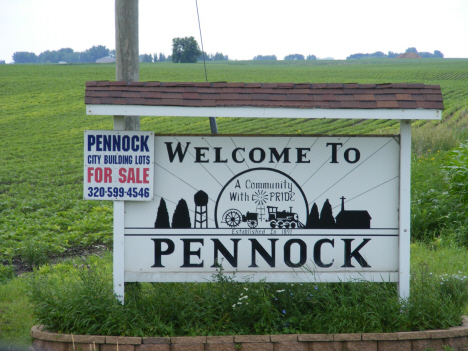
x,y
403,102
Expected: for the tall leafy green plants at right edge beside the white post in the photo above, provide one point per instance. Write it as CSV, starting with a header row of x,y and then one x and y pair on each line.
x,y
440,198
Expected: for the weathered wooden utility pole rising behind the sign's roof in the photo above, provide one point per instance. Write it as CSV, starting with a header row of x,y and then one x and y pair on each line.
x,y
127,62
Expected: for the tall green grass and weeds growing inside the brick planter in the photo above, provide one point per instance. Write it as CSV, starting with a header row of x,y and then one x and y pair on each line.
x,y
82,302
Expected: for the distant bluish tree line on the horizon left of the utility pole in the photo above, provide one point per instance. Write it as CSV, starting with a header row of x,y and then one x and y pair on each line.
x,y
66,55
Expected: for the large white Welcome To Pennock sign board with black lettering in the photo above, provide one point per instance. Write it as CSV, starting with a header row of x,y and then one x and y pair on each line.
x,y
272,208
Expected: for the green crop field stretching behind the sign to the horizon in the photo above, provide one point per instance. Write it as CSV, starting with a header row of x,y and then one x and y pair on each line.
x,y
42,119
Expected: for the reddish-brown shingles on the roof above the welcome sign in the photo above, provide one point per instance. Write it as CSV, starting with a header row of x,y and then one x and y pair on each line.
x,y
290,95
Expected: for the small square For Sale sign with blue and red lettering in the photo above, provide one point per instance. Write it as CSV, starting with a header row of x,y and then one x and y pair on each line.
x,y
118,165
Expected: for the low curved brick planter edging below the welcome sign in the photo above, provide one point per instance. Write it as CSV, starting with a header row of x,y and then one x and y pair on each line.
x,y
456,337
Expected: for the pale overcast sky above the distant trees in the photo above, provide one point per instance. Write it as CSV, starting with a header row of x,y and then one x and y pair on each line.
x,y
243,29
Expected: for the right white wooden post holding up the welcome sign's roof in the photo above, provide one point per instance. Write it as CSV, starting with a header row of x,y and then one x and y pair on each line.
x,y
405,209
